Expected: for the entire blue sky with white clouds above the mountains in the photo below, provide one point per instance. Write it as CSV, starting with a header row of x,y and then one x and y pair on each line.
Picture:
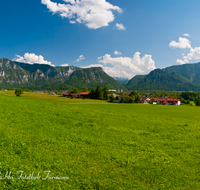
x,y
143,34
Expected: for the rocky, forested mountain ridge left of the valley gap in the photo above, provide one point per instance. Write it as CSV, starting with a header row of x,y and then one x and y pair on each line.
x,y
15,74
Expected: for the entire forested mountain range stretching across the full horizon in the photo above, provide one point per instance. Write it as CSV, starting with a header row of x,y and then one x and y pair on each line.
x,y
40,76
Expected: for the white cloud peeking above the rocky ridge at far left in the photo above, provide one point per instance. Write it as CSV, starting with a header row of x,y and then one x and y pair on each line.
x,y
31,58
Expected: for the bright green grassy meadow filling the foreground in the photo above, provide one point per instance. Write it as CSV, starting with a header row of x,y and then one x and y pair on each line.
x,y
99,146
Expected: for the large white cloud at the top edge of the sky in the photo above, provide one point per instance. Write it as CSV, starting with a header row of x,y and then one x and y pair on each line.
x,y
93,13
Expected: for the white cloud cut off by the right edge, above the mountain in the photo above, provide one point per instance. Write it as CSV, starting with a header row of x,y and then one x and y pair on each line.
x,y
194,54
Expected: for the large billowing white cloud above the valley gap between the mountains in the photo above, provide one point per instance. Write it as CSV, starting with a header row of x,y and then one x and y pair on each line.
x,y
126,67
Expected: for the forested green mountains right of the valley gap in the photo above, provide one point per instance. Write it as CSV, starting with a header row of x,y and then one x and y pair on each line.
x,y
176,78
